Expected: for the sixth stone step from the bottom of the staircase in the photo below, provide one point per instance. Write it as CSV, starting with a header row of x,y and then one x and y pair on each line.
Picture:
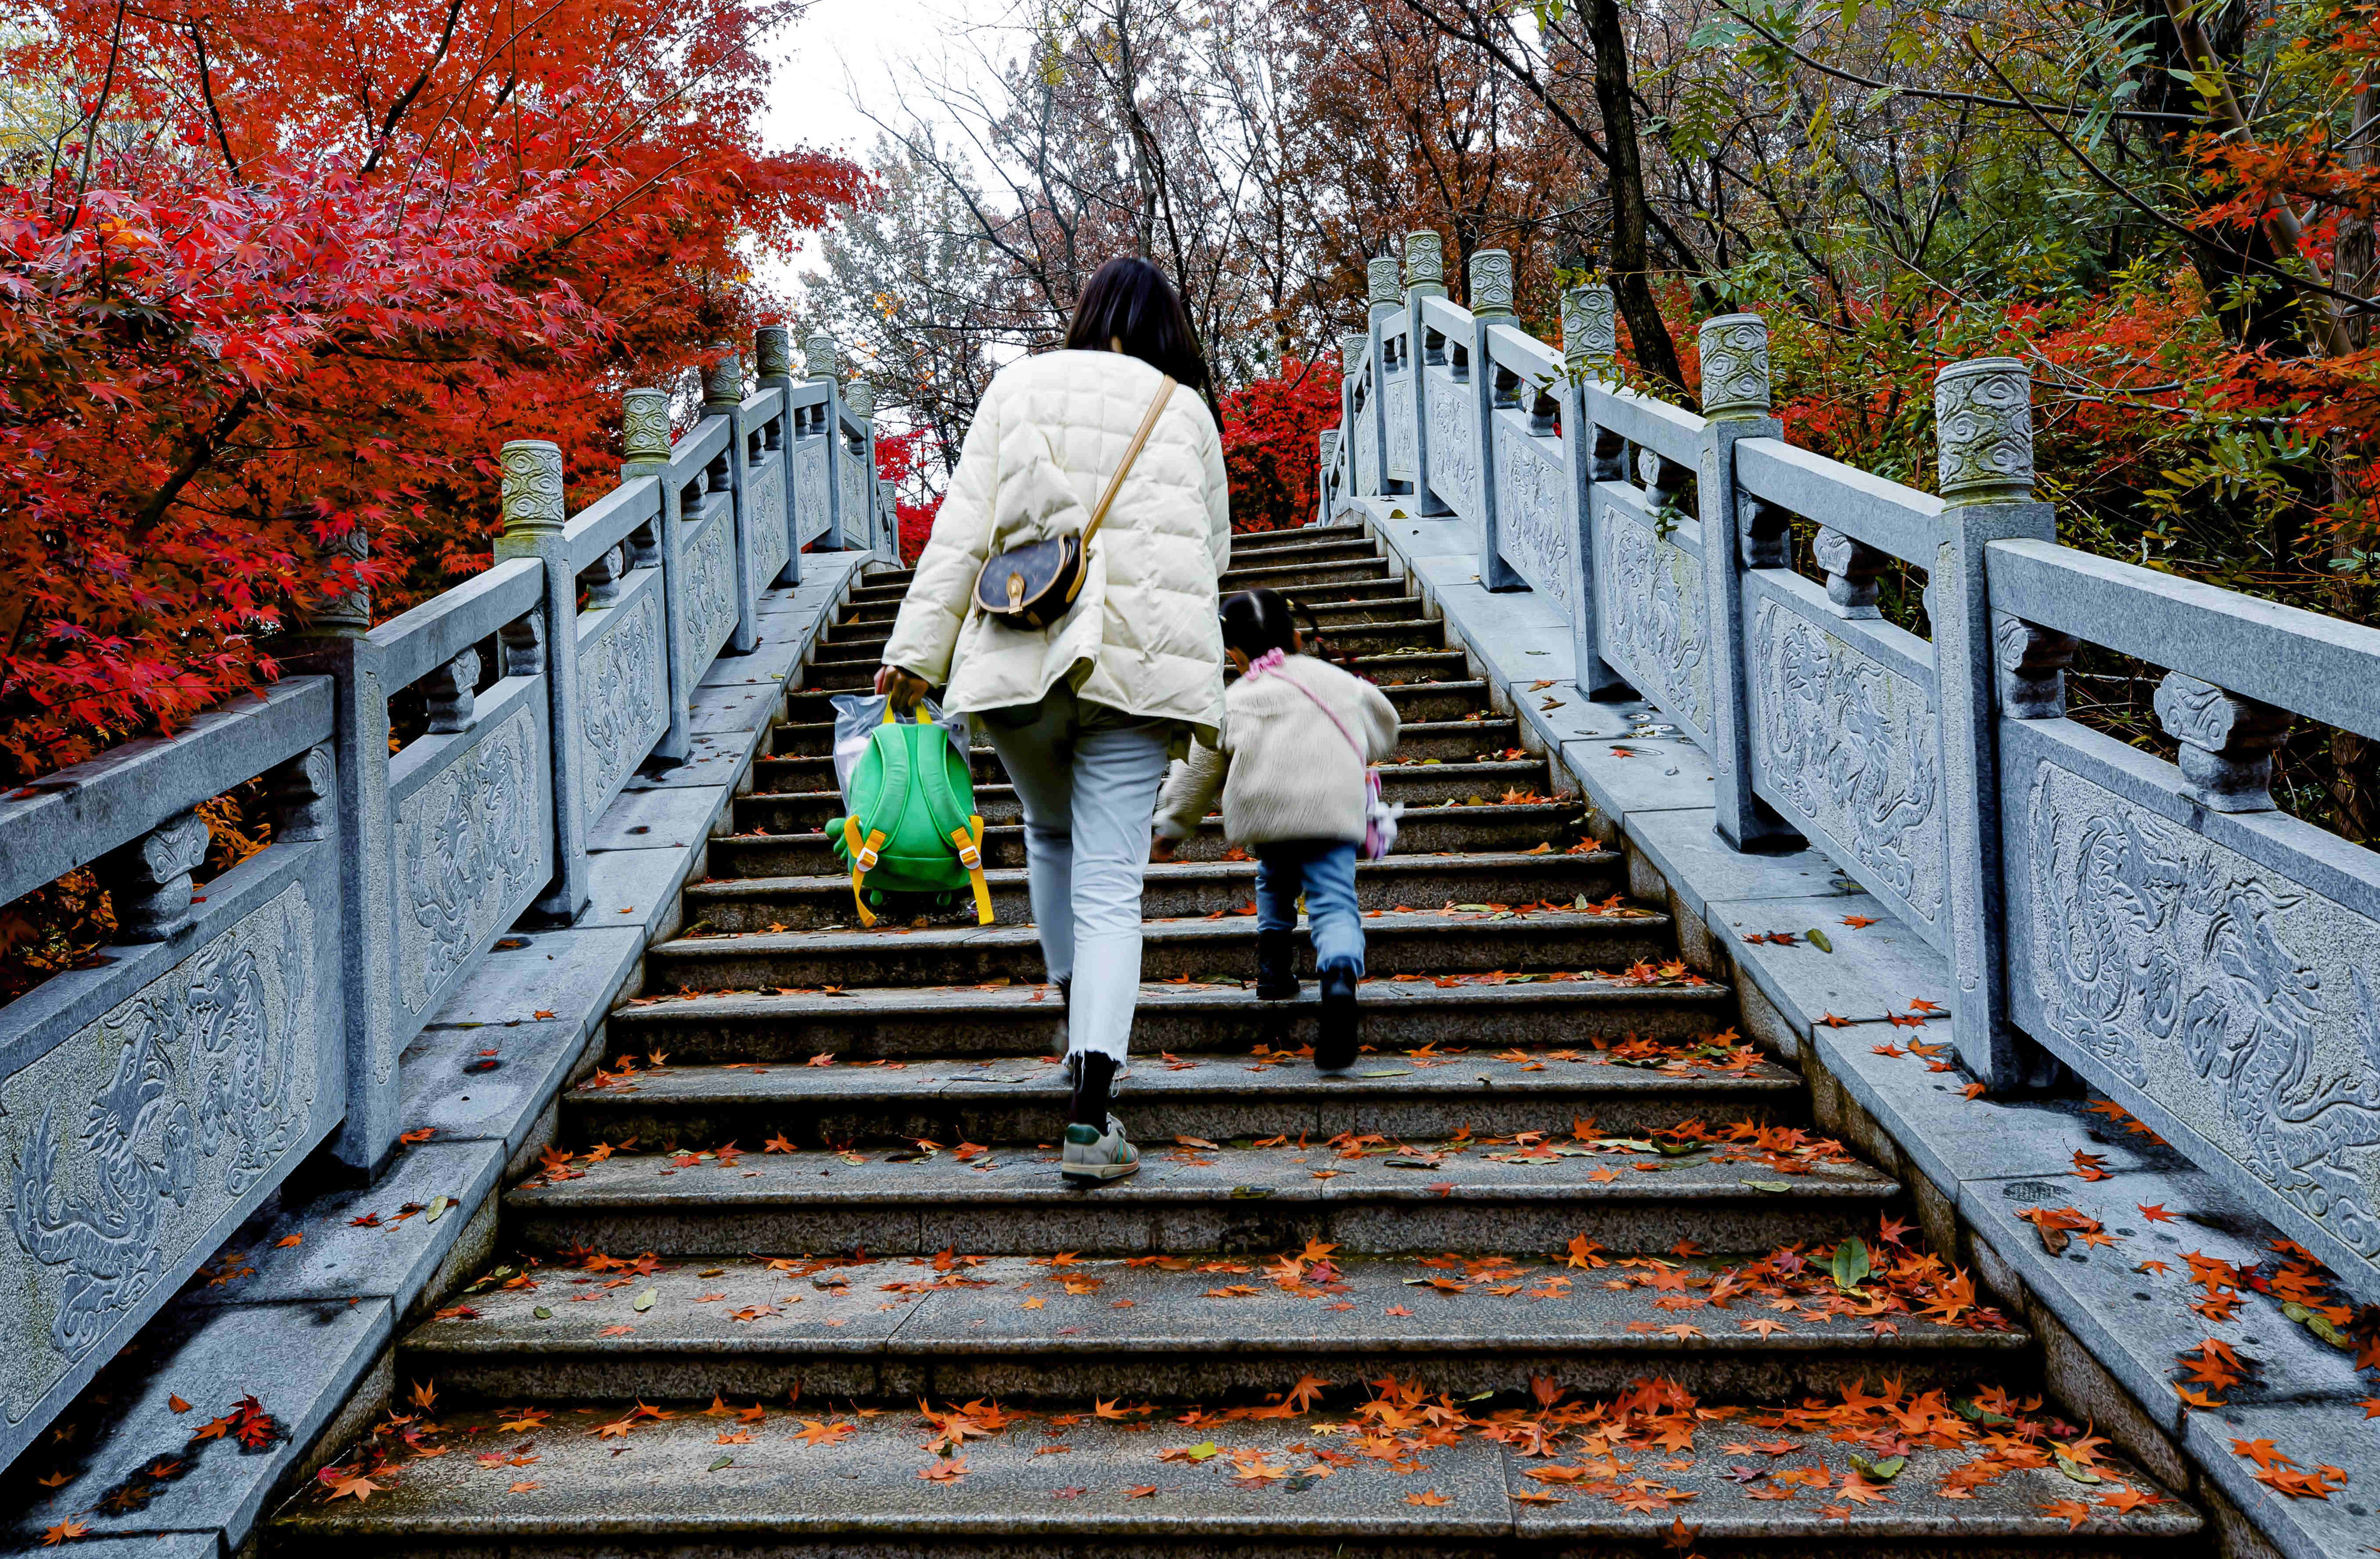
x,y
965,956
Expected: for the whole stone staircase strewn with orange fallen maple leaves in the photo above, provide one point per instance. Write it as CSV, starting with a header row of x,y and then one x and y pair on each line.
x,y
1551,1270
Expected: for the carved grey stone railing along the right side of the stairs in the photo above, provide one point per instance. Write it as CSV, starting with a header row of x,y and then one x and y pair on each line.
x,y
2203,958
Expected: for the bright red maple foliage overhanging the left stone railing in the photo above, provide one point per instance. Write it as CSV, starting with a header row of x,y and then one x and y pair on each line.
x,y
280,270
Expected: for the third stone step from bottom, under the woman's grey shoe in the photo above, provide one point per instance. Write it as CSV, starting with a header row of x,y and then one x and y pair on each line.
x,y
1229,1201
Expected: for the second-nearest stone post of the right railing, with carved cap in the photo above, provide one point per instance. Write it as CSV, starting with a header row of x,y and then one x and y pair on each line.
x,y
1734,406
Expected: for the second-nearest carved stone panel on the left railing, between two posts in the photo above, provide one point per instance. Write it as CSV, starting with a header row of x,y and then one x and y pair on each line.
x,y
470,846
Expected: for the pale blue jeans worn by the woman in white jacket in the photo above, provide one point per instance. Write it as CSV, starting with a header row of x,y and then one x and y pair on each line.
x,y
1086,779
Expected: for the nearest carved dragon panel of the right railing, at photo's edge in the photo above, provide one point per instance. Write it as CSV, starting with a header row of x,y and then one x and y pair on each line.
x,y
2236,998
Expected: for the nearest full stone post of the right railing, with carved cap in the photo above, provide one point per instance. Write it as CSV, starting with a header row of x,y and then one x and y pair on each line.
x,y
1984,415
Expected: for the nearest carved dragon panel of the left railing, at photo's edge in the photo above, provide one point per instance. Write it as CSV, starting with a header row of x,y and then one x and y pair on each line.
x,y
196,1087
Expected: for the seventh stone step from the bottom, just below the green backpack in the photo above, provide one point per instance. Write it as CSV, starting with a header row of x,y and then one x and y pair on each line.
x,y
1177,891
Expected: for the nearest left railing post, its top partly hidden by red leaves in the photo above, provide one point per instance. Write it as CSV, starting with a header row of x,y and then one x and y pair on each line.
x,y
339,646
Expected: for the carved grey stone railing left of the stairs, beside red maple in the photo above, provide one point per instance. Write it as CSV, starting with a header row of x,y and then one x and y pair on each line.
x,y
149,1103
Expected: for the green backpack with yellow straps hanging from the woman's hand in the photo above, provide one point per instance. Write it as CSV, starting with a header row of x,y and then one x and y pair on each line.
x,y
913,825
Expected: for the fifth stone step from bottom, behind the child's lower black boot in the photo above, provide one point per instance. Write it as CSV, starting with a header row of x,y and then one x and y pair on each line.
x,y
1015,1020
